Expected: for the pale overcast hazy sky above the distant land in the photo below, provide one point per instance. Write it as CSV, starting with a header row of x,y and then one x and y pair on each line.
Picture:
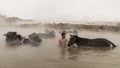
x,y
62,10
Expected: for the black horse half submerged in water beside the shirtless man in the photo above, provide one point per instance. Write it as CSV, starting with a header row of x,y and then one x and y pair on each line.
x,y
98,42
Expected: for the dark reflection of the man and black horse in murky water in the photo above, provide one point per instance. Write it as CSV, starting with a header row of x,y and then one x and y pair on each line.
x,y
78,52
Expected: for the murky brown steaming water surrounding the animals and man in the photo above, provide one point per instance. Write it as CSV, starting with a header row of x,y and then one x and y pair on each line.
x,y
49,55
